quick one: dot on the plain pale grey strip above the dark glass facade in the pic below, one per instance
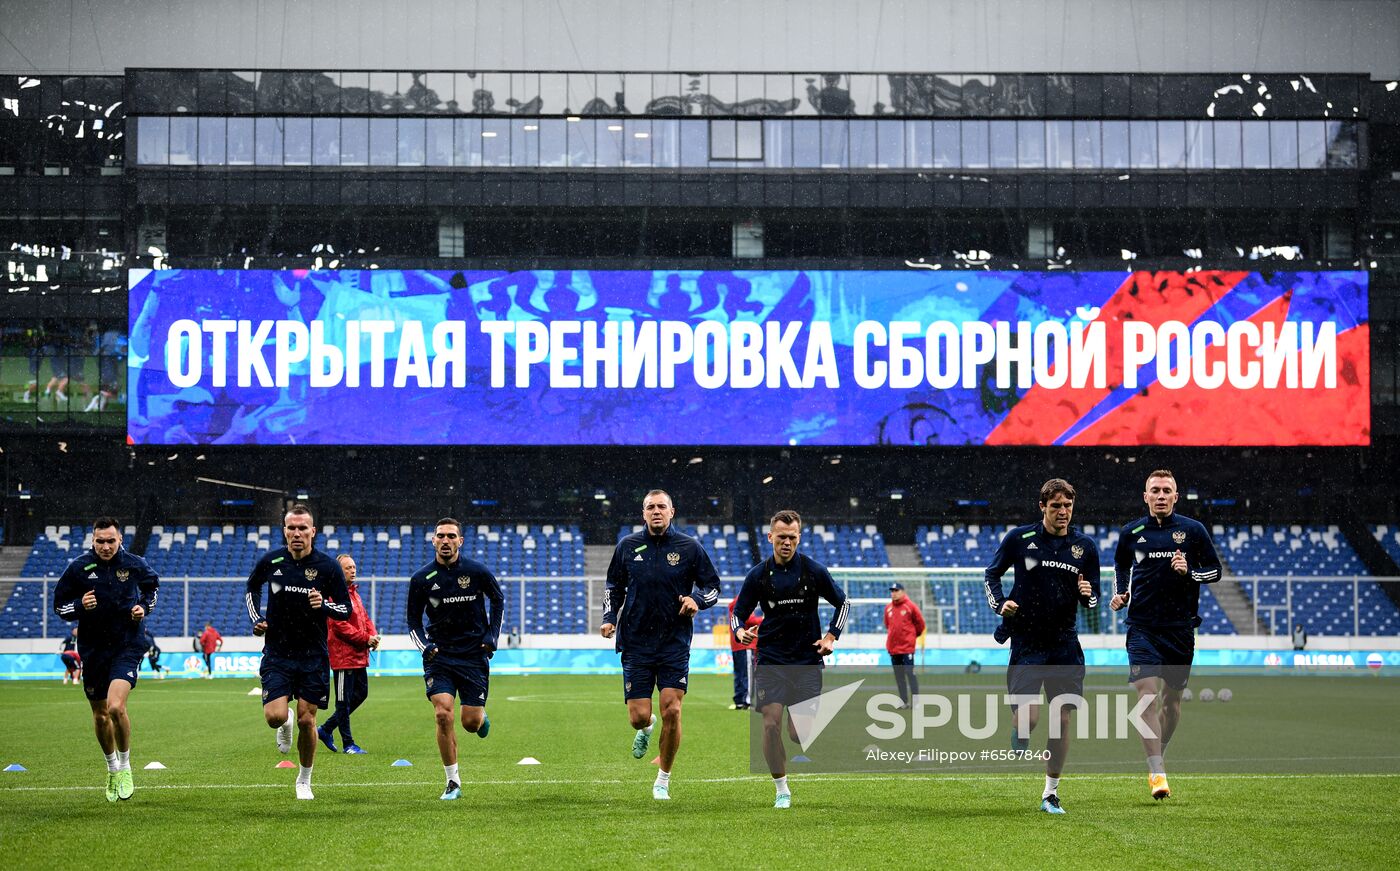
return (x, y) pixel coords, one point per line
(748, 36)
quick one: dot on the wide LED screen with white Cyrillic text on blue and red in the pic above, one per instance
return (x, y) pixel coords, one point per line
(909, 358)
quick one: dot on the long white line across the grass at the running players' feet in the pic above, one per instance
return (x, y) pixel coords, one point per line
(743, 779)
